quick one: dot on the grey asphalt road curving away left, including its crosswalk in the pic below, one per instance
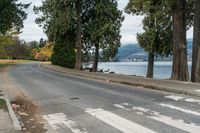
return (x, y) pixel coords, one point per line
(76, 105)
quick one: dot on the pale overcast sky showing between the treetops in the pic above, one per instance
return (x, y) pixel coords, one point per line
(130, 27)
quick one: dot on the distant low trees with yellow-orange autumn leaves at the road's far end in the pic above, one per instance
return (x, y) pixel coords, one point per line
(19, 49)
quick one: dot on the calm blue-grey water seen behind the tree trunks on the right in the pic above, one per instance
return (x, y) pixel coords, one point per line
(162, 70)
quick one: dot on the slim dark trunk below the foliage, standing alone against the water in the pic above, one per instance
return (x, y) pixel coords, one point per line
(150, 65)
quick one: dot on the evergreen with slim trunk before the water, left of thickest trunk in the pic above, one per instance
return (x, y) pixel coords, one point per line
(157, 38)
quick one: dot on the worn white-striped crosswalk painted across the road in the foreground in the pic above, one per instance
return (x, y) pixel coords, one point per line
(114, 119)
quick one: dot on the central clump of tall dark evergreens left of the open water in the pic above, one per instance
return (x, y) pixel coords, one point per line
(79, 27)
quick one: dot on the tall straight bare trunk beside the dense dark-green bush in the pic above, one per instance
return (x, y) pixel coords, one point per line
(78, 45)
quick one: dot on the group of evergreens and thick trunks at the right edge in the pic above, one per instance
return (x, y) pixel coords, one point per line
(165, 24)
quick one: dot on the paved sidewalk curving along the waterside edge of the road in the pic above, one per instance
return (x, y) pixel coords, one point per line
(187, 88)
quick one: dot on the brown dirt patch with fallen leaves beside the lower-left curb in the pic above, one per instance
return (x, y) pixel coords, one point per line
(28, 114)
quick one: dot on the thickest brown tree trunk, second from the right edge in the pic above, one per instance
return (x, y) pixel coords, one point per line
(180, 66)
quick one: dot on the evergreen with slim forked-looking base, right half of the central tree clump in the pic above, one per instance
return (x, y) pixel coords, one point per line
(104, 28)
